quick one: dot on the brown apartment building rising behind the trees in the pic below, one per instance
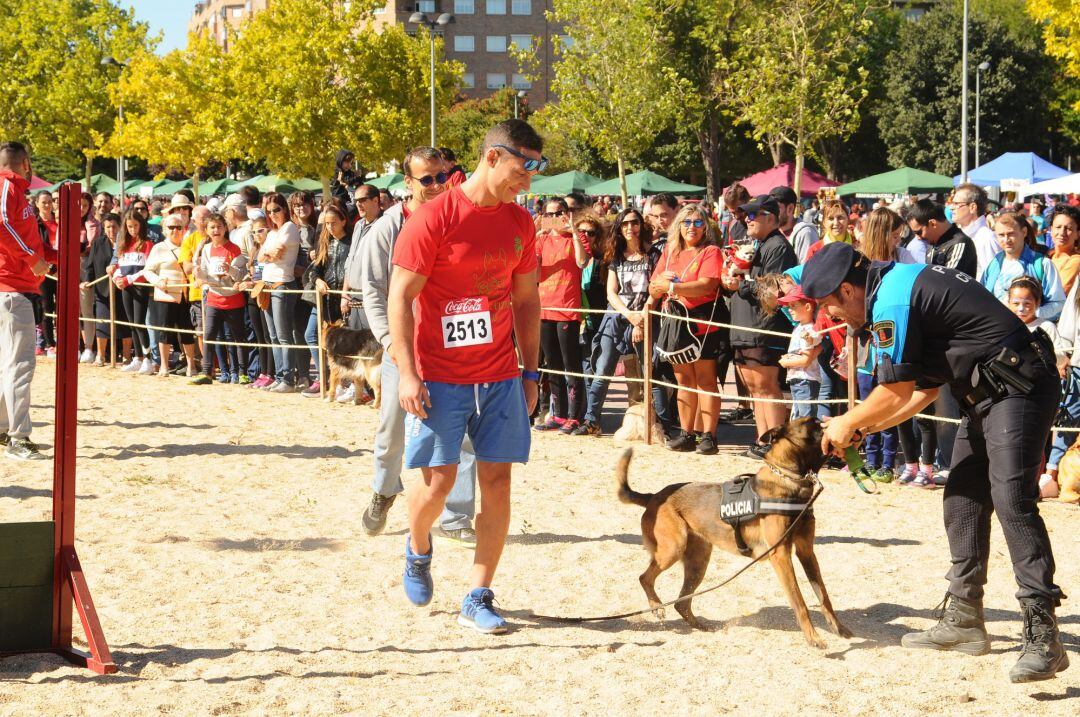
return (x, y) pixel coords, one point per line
(481, 38)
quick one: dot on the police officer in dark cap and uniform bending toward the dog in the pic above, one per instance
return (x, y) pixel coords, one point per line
(934, 327)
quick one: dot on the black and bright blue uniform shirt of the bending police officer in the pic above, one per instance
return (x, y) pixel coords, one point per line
(933, 326)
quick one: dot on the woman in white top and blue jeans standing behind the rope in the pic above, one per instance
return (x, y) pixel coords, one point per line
(278, 258)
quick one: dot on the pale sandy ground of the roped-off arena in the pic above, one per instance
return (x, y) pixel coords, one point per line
(219, 530)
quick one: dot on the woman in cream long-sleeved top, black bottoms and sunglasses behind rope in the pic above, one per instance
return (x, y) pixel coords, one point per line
(170, 306)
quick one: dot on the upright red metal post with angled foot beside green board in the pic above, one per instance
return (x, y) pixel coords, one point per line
(70, 585)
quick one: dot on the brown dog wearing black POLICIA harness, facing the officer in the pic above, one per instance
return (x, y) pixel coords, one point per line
(685, 521)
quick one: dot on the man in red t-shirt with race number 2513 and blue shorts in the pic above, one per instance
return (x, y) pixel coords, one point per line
(464, 290)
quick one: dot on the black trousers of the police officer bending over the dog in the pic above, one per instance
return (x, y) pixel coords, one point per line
(995, 468)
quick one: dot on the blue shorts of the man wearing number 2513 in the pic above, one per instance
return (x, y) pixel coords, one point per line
(494, 414)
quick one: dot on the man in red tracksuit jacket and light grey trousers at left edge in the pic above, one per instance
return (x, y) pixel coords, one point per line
(24, 261)
